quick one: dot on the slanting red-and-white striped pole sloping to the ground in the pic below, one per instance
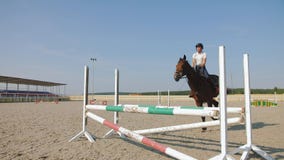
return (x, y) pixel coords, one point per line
(141, 139)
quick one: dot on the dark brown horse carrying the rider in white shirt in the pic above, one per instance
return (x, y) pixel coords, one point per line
(202, 89)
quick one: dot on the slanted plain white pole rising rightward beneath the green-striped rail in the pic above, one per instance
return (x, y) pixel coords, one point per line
(189, 126)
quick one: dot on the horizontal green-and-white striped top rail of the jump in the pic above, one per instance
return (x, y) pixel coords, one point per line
(153, 110)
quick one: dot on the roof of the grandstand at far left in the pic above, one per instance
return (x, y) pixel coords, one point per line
(15, 80)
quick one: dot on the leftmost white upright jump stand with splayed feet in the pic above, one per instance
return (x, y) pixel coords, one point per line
(85, 102)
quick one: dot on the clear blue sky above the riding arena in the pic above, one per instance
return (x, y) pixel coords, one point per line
(53, 40)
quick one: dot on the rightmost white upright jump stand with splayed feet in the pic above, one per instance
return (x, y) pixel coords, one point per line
(249, 146)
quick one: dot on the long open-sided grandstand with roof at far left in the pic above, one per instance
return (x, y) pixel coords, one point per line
(14, 89)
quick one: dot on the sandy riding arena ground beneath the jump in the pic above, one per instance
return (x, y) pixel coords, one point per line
(42, 131)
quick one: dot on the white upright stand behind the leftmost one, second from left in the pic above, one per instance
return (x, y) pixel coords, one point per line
(116, 101)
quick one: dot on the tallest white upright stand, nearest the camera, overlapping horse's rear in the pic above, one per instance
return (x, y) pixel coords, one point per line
(223, 107)
